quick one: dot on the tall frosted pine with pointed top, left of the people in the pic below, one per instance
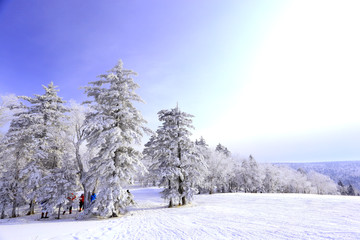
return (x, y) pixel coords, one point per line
(46, 117)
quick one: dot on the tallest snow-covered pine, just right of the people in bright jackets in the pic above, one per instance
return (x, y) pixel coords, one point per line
(114, 125)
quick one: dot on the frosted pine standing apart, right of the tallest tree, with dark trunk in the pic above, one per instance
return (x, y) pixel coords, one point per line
(175, 158)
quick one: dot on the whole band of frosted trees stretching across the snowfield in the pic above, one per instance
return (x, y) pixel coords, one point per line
(52, 149)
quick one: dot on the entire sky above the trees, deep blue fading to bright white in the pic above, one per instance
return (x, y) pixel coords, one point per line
(276, 79)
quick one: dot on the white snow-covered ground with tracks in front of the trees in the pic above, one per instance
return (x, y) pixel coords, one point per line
(217, 216)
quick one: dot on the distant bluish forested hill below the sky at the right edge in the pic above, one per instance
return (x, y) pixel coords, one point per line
(348, 171)
